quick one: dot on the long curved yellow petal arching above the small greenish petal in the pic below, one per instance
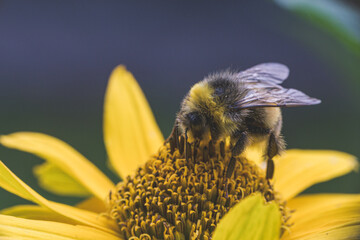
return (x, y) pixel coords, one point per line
(63, 156)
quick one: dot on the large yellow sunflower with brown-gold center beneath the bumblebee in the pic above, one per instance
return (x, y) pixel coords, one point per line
(172, 189)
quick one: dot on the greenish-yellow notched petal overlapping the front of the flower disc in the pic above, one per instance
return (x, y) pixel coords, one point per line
(250, 219)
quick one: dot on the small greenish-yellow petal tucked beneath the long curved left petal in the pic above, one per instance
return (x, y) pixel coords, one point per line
(55, 180)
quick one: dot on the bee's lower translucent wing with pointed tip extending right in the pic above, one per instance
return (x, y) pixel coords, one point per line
(274, 97)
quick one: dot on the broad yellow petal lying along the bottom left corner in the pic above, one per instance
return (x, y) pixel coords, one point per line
(36, 229)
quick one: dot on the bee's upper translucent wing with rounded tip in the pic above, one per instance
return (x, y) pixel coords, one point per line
(264, 75)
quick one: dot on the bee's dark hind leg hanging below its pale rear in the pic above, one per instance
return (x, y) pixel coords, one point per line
(275, 145)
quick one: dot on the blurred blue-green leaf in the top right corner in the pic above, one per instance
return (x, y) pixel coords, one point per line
(336, 17)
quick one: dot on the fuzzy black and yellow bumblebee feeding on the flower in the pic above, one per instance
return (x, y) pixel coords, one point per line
(244, 106)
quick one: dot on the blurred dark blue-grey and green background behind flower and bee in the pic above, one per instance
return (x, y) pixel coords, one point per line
(55, 59)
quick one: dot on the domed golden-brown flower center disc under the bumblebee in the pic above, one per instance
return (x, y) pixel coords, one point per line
(182, 192)
